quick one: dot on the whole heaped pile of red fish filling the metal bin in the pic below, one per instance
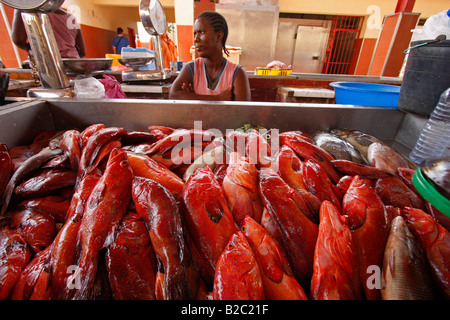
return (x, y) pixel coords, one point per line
(105, 213)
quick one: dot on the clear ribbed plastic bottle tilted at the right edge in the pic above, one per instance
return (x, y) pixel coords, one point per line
(434, 140)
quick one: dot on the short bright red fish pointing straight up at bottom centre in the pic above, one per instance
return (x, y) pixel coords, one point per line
(237, 274)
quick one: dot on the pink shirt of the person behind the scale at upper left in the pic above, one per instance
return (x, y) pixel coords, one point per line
(65, 29)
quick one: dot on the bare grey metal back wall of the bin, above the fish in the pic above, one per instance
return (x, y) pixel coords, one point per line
(20, 123)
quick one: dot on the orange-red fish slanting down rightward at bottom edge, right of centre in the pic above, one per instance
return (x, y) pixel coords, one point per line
(276, 273)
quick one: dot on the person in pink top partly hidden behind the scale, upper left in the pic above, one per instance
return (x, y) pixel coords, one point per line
(65, 27)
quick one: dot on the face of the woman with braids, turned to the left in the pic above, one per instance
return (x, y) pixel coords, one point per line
(206, 41)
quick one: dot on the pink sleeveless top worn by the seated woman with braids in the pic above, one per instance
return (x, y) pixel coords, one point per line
(201, 83)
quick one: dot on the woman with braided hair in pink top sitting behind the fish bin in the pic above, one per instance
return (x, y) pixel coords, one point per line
(211, 76)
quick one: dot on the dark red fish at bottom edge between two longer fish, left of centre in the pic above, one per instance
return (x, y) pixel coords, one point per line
(131, 261)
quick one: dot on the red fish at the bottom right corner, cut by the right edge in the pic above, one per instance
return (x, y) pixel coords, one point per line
(435, 239)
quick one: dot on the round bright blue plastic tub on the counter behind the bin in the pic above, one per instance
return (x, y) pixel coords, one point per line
(366, 94)
